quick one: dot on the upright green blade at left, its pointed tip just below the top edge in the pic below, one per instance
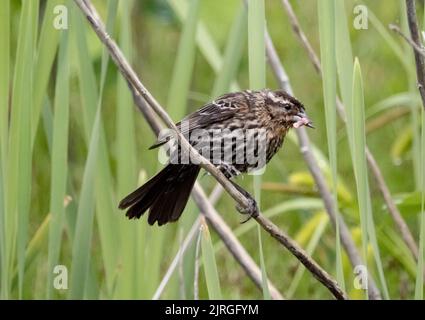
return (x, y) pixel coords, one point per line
(59, 160)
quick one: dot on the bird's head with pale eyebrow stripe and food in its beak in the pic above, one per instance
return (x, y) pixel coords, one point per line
(289, 109)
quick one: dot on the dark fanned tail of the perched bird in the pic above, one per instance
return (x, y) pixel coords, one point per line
(165, 195)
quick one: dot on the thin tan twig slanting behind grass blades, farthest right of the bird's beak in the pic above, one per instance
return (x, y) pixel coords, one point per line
(380, 181)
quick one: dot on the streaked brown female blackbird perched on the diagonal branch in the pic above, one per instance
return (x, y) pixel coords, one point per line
(238, 132)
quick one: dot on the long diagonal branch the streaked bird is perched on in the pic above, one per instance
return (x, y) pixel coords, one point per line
(200, 198)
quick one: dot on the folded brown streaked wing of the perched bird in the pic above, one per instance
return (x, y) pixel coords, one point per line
(219, 110)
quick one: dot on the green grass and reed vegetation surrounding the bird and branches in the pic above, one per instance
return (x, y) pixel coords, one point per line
(72, 144)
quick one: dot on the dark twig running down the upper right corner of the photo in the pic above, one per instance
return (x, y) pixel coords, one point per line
(419, 58)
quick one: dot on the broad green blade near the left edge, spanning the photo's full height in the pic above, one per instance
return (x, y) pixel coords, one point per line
(18, 193)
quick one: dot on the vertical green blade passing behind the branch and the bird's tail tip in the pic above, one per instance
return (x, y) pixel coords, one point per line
(128, 279)
